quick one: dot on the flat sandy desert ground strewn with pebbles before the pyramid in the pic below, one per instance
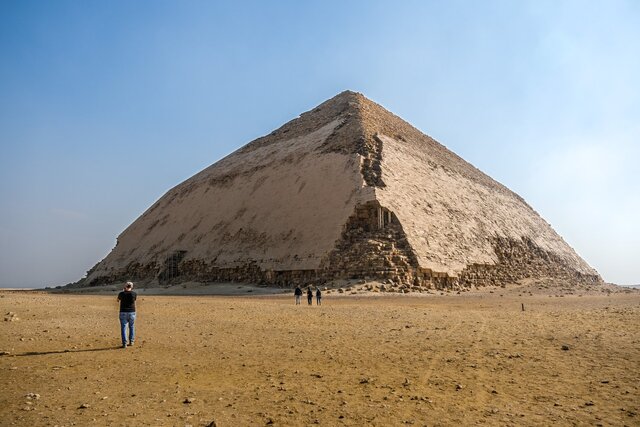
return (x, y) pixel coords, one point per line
(356, 360)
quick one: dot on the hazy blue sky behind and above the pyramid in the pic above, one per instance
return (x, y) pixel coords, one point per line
(105, 105)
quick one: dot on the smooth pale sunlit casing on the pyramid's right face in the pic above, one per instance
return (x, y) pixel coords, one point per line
(452, 221)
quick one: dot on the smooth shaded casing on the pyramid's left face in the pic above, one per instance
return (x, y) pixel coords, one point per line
(240, 211)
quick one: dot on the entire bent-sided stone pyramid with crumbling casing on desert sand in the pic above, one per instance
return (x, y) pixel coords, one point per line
(346, 190)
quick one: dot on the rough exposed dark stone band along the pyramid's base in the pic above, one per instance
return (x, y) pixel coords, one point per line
(391, 264)
